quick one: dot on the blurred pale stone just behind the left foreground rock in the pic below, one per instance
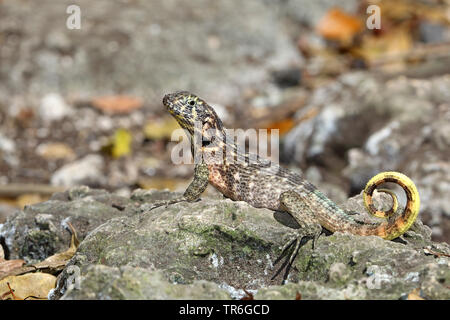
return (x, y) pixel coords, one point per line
(85, 171)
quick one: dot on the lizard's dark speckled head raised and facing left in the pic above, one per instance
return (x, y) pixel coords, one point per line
(192, 112)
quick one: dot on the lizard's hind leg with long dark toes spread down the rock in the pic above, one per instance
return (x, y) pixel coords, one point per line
(297, 206)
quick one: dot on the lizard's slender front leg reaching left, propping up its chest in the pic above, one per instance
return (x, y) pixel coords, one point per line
(193, 191)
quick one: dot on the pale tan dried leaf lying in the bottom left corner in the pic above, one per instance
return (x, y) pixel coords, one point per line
(36, 285)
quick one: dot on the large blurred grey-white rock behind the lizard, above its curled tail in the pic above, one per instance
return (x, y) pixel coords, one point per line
(360, 109)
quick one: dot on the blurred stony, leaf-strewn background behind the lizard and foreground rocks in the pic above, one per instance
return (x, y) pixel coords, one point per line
(83, 106)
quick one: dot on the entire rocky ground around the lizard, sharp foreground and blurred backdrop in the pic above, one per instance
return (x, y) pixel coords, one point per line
(83, 108)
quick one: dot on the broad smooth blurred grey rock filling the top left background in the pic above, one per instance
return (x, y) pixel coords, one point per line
(213, 49)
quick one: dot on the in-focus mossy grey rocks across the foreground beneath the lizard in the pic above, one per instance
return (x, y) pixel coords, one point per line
(216, 249)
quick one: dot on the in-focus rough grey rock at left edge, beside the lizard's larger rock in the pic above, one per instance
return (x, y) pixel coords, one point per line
(38, 231)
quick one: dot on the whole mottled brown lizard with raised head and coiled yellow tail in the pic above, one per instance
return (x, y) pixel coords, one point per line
(242, 176)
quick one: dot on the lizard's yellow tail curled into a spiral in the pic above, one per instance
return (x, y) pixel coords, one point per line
(393, 228)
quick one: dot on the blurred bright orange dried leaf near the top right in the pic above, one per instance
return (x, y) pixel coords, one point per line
(338, 25)
